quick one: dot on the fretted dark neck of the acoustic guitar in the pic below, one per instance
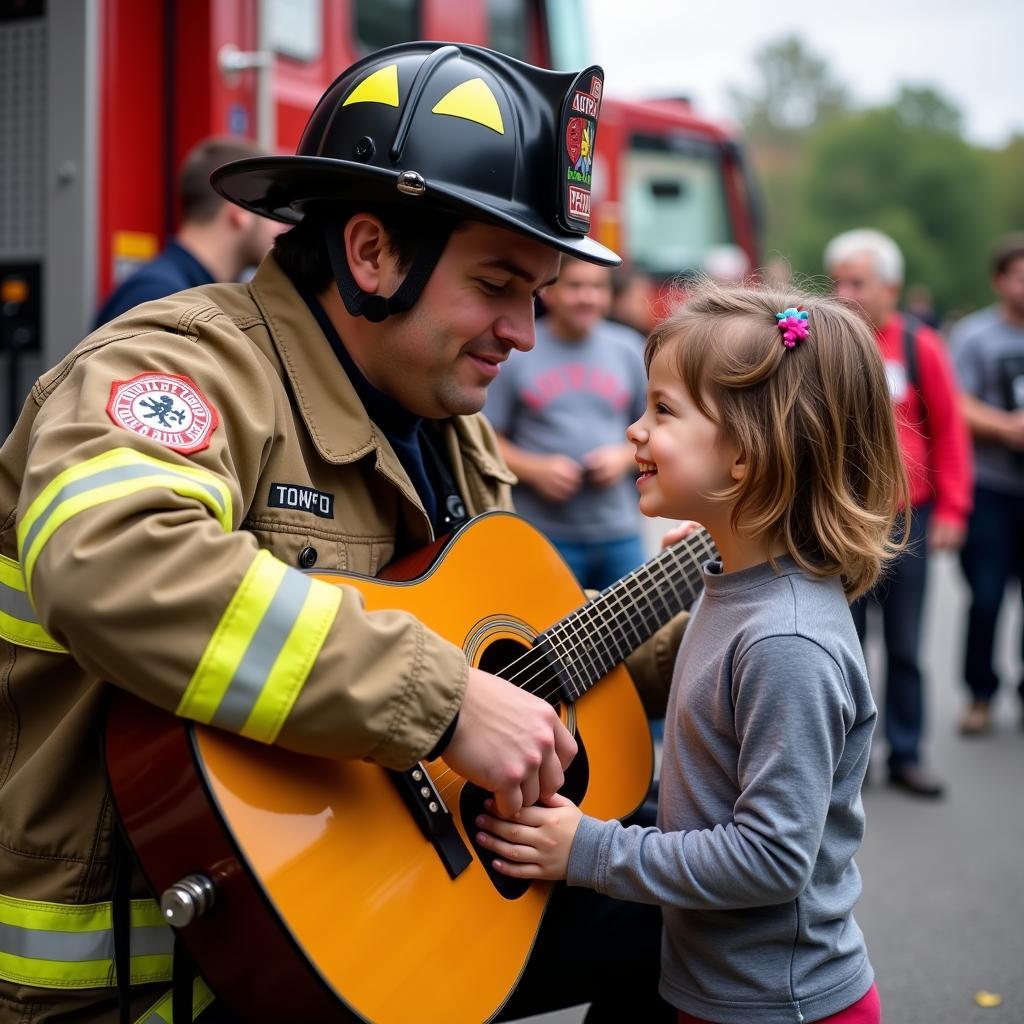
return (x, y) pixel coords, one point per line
(588, 644)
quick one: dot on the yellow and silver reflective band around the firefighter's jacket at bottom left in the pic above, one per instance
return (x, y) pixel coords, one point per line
(59, 946)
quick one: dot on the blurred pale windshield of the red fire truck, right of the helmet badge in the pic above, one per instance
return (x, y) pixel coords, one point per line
(675, 206)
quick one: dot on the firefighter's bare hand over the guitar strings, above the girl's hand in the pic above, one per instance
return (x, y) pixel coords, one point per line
(509, 743)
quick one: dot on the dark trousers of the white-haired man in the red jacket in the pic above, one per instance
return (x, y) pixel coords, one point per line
(901, 596)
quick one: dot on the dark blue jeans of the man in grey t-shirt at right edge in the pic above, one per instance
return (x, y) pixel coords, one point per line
(993, 556)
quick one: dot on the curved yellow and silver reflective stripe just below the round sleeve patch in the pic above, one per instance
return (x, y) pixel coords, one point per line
(106, 479)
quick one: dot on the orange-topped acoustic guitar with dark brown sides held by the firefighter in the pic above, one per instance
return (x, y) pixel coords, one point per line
(323, 890)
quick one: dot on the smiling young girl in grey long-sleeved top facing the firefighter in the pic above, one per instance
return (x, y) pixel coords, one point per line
(770, 421)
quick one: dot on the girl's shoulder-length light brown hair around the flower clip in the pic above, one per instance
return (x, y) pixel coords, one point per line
(825, 474)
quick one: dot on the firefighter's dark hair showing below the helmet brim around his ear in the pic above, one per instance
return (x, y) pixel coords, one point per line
(302, 253)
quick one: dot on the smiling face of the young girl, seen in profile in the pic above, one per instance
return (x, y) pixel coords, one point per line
(682, 456)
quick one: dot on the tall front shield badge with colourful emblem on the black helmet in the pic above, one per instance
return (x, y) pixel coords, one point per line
(580, 114)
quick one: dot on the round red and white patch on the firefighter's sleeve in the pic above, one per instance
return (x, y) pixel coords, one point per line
(169, 409)
